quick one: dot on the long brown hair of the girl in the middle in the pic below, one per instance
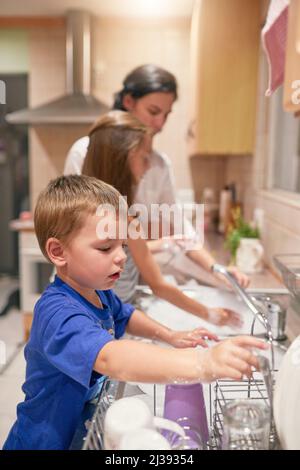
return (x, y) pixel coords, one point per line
(111, 138)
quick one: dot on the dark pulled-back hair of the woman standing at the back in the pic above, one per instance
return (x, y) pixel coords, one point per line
(144, 80)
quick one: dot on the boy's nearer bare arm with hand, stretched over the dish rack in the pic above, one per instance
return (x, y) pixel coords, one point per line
(129, 360)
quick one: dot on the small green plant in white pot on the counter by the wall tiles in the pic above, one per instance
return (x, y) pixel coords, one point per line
(242, 240)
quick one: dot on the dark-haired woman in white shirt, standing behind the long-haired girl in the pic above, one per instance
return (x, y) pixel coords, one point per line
(149, 93)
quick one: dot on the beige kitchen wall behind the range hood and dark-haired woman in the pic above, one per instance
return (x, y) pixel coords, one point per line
(118, 46)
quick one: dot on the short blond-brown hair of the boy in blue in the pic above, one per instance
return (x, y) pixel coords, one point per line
(64, 204)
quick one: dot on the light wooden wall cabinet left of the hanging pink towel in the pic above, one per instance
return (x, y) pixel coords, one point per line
(225, 37)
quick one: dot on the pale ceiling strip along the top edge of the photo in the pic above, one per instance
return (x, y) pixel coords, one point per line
(128, 8)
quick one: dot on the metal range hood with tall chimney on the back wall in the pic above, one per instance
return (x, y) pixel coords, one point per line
(77, 106)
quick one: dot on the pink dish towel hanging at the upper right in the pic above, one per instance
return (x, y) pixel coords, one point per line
(273, 37)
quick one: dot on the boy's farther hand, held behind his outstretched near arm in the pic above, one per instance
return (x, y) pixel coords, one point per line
(191, 339)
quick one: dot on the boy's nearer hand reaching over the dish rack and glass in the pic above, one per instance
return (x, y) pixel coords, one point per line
(231, 358)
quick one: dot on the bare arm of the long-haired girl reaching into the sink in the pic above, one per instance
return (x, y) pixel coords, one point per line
(151, 273)
